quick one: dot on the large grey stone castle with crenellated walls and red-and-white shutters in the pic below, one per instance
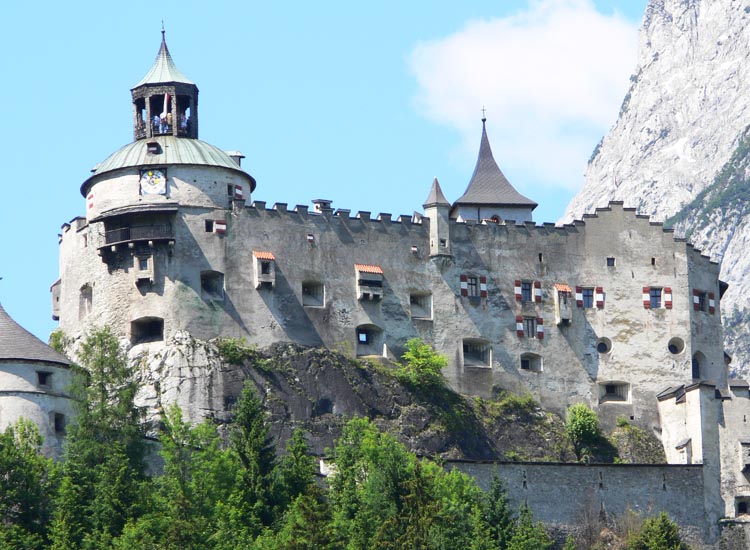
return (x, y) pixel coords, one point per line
(612, 310)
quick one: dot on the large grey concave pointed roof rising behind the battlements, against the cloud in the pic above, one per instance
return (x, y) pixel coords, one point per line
(488, 184)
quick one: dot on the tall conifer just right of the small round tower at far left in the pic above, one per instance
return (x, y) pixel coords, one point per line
(103, 470)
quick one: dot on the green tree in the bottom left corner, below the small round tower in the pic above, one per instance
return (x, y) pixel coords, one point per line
(27, 481)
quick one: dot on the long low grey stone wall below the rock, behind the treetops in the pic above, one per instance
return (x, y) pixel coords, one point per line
(565, 495)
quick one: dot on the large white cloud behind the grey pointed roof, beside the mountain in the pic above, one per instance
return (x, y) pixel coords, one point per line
(552, 79)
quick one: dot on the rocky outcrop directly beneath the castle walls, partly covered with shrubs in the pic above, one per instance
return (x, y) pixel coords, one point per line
(319, 390)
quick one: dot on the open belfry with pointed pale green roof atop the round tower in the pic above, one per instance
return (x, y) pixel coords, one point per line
(165, 101)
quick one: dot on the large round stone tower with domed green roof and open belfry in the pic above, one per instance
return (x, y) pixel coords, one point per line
(149, 250)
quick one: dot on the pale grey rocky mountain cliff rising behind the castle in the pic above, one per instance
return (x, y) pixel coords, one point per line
(678, 147)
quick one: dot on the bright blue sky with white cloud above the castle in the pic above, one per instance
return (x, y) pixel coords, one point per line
(361, 103)
